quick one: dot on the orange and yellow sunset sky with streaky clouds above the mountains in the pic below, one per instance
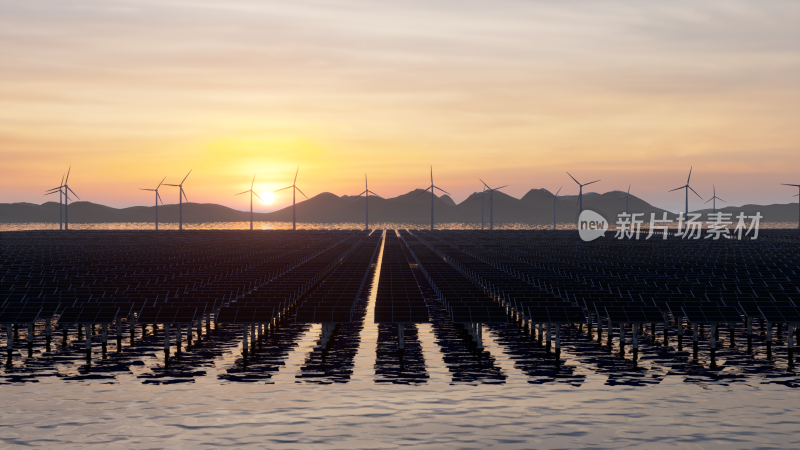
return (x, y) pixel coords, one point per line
(514, 92)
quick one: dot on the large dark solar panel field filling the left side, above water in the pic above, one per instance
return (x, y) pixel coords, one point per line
(167, 278)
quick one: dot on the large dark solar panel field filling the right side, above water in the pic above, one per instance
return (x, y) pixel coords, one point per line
(630, 281)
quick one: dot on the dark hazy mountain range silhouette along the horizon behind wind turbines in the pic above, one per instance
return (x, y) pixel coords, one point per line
(535, 207)
